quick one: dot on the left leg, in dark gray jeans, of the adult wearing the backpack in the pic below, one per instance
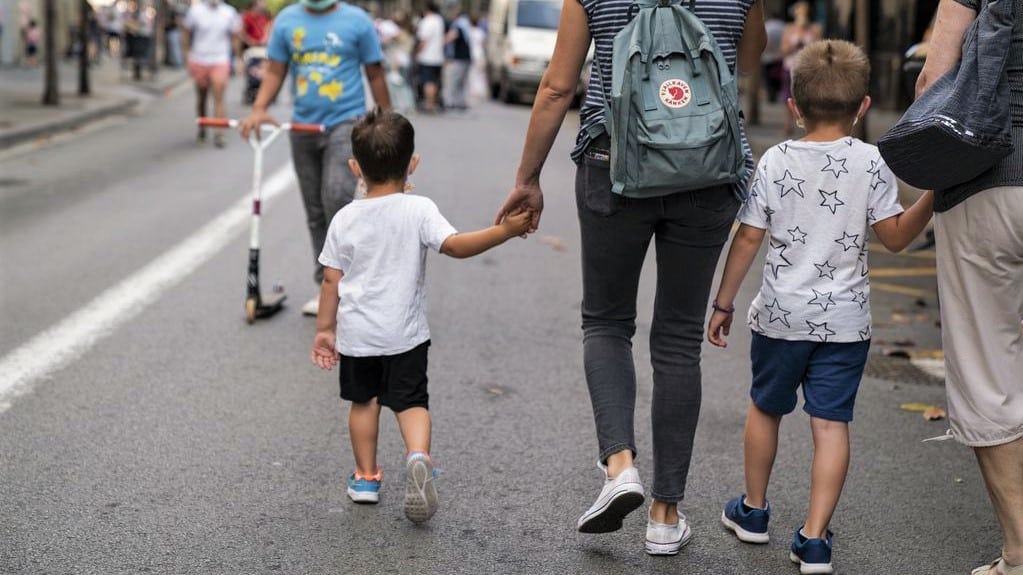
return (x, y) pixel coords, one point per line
(614, 241)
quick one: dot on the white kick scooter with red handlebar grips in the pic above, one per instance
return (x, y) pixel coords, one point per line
(259, 305)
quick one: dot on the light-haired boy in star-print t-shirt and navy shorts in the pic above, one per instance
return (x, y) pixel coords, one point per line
(812, 320)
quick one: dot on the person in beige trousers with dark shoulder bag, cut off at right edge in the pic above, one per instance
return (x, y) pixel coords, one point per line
(978, 228)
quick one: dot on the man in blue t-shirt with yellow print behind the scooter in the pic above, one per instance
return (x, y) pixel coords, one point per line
(326, 46)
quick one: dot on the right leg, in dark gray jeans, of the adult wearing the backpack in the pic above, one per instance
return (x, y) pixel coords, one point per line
(689, 239)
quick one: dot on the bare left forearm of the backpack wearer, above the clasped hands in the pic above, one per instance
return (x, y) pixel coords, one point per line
(549, 112)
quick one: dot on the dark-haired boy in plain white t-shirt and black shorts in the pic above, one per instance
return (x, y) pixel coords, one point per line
(375, 259)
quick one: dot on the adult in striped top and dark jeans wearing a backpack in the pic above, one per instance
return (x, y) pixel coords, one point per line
(689, 230)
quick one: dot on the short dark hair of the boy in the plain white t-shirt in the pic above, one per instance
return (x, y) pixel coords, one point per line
(383, 144)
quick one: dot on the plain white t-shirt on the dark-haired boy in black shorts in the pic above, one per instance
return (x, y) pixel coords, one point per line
(381, 245)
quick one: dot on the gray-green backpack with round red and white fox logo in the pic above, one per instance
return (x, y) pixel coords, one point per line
(674, 118)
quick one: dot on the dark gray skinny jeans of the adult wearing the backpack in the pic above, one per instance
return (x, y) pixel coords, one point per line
(689, 231)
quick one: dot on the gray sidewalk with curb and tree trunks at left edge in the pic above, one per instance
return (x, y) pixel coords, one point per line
(24, 119)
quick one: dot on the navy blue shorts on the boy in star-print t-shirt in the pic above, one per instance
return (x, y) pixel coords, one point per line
(829, 373)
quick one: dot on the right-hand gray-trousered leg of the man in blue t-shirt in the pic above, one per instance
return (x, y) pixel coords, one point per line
(338, 185)
